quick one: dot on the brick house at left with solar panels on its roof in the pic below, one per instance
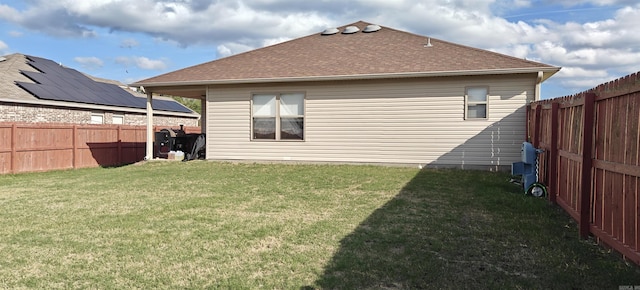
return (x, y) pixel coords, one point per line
(38, 90)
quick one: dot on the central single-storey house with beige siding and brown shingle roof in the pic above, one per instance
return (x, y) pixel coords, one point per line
(363, 94)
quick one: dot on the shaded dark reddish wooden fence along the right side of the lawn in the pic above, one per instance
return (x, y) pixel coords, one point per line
(591, 163)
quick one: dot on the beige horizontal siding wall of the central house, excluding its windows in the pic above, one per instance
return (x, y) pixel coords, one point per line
(408, 121)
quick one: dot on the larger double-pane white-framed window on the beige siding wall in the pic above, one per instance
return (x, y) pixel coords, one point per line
(278, 117)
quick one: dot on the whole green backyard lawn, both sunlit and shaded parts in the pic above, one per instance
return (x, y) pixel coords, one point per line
(246, 226)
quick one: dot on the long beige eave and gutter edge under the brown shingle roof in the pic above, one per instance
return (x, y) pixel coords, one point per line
(547, 72)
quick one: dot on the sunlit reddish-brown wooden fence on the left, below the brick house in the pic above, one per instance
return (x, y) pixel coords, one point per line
(26, 147)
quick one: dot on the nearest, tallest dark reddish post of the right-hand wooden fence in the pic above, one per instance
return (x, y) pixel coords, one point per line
(587, 162)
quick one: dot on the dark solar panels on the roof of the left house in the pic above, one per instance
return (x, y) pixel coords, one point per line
(55, 82)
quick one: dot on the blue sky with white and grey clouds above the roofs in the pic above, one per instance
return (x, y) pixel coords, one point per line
(594, 41)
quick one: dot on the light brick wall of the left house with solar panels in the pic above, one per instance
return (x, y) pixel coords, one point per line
(15, 112)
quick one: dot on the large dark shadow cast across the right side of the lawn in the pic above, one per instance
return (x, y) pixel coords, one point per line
(476, 230)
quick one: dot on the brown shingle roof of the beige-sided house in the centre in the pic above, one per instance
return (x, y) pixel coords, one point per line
(384, 52)
